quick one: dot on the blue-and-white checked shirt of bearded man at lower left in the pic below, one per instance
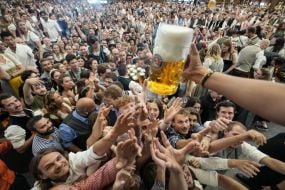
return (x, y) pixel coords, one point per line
(40, 143)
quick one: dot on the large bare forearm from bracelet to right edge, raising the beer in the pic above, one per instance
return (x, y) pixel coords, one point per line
(249, 98)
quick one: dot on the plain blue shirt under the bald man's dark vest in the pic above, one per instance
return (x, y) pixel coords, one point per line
(66, 133)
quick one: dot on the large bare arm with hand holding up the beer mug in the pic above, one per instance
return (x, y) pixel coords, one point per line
(255, 95)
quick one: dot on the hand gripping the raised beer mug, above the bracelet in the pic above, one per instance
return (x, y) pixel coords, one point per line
(195, 71)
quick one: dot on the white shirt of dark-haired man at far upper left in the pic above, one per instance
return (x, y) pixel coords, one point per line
(23, 54)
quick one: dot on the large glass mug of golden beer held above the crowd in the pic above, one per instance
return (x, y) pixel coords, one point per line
(172, 44)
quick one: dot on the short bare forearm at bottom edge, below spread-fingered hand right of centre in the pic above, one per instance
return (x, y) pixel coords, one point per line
(177, 180)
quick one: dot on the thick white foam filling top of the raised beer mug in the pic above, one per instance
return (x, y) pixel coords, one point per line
(172, 42)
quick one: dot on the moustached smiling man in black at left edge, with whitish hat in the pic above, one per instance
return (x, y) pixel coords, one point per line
(17, 133)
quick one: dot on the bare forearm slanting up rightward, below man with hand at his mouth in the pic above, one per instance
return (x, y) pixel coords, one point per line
(223, 143)
